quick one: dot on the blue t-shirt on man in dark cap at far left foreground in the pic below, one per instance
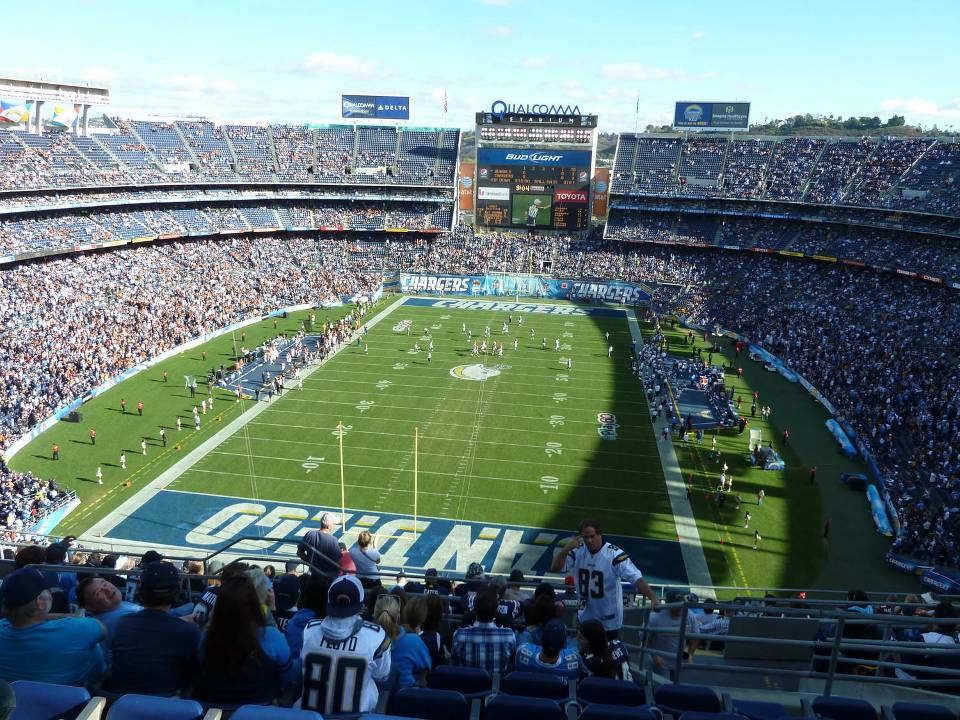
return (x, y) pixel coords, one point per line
(65, 651)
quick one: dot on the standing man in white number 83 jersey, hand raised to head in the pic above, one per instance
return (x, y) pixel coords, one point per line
(598, 567)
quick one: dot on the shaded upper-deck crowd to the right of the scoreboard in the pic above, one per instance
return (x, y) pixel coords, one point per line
(906, 173)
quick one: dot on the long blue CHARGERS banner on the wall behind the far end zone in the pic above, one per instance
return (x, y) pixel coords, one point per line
(614, 291)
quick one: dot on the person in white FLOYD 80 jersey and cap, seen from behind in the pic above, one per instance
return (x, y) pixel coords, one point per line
(343, 656)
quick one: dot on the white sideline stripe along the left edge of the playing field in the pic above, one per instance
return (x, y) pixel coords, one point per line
(131, 505)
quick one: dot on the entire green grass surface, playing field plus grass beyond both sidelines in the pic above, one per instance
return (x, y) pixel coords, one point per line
(528, 446)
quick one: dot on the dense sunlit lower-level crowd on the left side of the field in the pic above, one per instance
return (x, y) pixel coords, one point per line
(70, 324)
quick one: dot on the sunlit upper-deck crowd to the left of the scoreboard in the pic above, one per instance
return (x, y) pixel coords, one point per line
(144, 152)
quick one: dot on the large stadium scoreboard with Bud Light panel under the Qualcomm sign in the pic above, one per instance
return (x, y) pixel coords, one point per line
(533, 172)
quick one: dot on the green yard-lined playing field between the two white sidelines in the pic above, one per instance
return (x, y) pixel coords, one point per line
(518, 447)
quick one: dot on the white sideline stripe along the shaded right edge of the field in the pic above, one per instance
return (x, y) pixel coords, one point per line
(698, 572)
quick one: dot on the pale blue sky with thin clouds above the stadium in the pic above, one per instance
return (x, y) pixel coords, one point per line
(287, 60)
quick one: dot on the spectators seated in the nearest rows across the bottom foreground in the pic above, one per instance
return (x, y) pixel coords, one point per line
(246, 634)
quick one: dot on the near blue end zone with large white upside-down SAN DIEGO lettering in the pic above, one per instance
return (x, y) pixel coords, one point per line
(209, 522)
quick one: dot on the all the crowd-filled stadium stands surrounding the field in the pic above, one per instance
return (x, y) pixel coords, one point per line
(878, 340)
